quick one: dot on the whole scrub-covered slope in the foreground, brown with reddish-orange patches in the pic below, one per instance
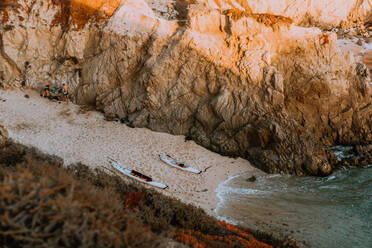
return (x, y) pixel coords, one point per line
(44, 204)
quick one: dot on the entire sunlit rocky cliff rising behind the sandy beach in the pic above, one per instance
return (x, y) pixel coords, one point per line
(238, 82)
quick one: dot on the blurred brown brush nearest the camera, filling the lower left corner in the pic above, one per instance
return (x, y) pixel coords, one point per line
(43, 204)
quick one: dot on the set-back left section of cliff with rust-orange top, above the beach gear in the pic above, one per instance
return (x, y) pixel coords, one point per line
(47, 40)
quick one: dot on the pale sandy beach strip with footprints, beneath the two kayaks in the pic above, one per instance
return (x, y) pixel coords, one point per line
(66, 131)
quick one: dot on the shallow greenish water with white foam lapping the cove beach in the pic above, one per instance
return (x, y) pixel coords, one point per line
(334, 211)
